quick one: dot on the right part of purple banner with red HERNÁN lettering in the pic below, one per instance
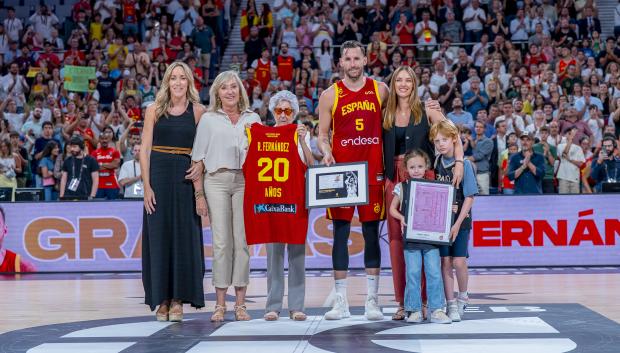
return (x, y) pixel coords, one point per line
(546, 230)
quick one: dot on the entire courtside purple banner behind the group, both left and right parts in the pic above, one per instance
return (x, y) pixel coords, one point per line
(557, 230)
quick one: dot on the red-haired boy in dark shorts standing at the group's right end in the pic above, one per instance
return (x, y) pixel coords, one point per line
(444, 135)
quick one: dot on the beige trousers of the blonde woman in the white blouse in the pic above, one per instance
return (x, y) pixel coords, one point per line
(231, 258)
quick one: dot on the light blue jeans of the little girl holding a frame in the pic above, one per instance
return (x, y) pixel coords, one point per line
(434, 282)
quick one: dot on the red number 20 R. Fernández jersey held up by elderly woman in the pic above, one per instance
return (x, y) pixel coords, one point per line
(274, 203)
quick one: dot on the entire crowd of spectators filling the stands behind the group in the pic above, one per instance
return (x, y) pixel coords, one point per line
(504, 71)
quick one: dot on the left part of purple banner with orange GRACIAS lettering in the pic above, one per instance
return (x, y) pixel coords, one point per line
(106, 236)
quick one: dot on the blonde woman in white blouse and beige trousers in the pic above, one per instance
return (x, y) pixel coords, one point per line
(221, 146)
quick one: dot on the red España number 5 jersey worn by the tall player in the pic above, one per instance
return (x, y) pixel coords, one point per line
(356, 128)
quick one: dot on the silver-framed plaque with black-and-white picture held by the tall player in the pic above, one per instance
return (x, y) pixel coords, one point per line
(341, 184)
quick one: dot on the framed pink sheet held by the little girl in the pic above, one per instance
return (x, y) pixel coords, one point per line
(429, 215)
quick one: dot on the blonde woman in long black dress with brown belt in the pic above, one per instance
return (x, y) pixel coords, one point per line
(172, 247)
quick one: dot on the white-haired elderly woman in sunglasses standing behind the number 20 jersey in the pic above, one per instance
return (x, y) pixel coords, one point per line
(284, 108)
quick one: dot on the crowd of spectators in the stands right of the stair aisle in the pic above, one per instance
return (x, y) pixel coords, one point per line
(504, 71)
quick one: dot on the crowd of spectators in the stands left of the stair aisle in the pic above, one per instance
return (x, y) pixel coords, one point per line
(129, 43)
